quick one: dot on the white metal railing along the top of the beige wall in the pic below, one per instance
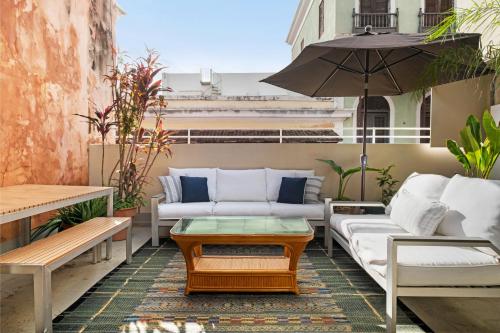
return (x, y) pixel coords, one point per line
(302, 135)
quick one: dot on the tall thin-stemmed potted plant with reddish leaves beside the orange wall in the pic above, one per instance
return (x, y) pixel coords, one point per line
(135, 92)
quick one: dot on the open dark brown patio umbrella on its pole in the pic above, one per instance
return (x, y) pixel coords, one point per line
(366, 65)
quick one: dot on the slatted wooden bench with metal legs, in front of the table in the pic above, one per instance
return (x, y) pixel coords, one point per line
(42, 257)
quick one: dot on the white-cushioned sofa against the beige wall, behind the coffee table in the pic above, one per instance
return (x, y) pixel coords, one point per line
(236, 193)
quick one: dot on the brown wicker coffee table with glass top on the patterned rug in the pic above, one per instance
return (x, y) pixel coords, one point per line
(242, 273)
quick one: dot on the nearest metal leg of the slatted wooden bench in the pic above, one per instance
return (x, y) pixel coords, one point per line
(43, 300)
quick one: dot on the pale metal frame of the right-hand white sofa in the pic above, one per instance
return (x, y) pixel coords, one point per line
(391, 286)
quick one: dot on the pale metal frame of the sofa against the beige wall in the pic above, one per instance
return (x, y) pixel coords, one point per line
(156, 222)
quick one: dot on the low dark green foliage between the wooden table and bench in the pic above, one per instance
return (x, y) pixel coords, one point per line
(70, 216)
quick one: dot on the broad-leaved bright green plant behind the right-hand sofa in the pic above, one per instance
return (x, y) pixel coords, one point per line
(480, 146)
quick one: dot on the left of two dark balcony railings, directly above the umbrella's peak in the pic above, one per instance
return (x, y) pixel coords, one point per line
(380, 22)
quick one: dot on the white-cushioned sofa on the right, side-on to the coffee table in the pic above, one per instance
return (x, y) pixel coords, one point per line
(460, 260)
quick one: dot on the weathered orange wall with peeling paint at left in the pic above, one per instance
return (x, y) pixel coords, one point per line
(53, 55)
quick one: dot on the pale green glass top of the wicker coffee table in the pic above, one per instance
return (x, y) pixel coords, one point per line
(240, 225)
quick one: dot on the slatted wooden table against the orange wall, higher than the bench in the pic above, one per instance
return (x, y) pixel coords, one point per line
(21, 202)
